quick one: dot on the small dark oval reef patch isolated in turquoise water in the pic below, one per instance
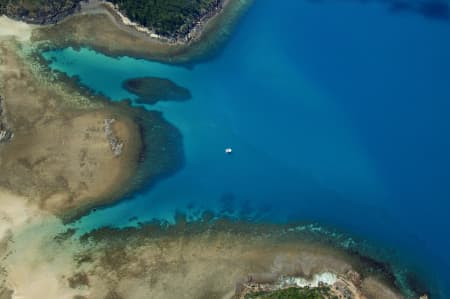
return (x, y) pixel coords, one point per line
(151, 90)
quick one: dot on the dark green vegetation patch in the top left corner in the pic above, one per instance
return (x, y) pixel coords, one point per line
(38, 11)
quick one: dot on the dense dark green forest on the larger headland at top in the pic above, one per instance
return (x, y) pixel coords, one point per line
(171, 18)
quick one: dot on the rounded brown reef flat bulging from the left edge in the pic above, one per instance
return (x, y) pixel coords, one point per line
(60, 156)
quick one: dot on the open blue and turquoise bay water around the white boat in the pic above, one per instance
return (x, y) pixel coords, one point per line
(337, 112)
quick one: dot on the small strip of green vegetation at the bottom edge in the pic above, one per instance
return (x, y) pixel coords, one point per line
(293, 293)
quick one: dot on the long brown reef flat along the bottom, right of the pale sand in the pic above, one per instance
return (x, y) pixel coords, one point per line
(155, 261)
